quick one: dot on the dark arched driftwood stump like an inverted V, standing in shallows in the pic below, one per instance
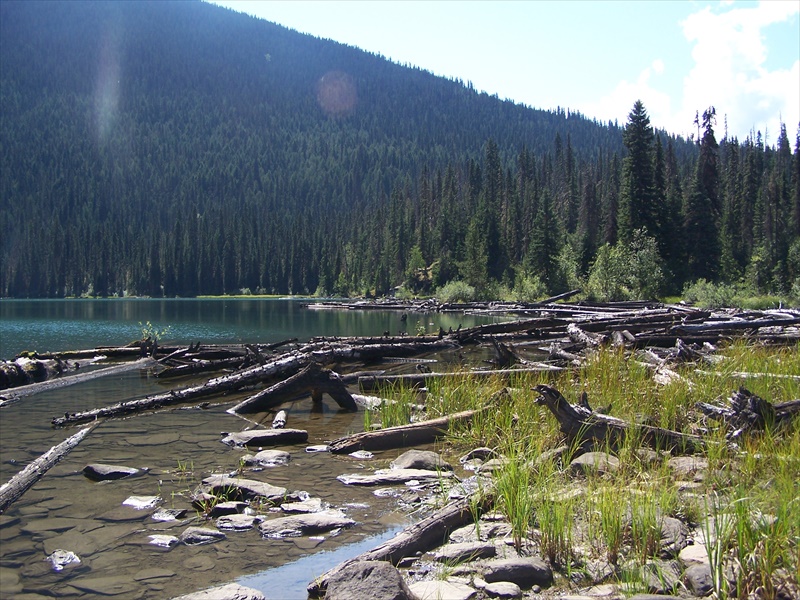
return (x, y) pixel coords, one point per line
(311, 380)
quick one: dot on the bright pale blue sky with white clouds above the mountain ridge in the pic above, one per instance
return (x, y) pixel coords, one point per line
(596, 57)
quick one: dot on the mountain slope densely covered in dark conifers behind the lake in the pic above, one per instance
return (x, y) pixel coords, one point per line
(179, 148)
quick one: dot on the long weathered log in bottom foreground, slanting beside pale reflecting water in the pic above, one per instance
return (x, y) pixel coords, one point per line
(418, 538)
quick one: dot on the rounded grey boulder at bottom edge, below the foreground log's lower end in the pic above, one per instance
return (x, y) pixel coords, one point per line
(368, 579)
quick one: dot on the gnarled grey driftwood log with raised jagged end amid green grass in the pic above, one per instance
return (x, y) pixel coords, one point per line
(579, 423)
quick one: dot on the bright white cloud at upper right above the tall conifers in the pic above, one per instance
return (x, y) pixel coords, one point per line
(730, 71)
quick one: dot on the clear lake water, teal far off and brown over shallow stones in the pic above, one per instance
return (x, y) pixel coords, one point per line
(178, 448)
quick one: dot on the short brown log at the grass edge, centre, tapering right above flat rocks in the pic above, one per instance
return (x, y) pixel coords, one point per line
(401, 436)
